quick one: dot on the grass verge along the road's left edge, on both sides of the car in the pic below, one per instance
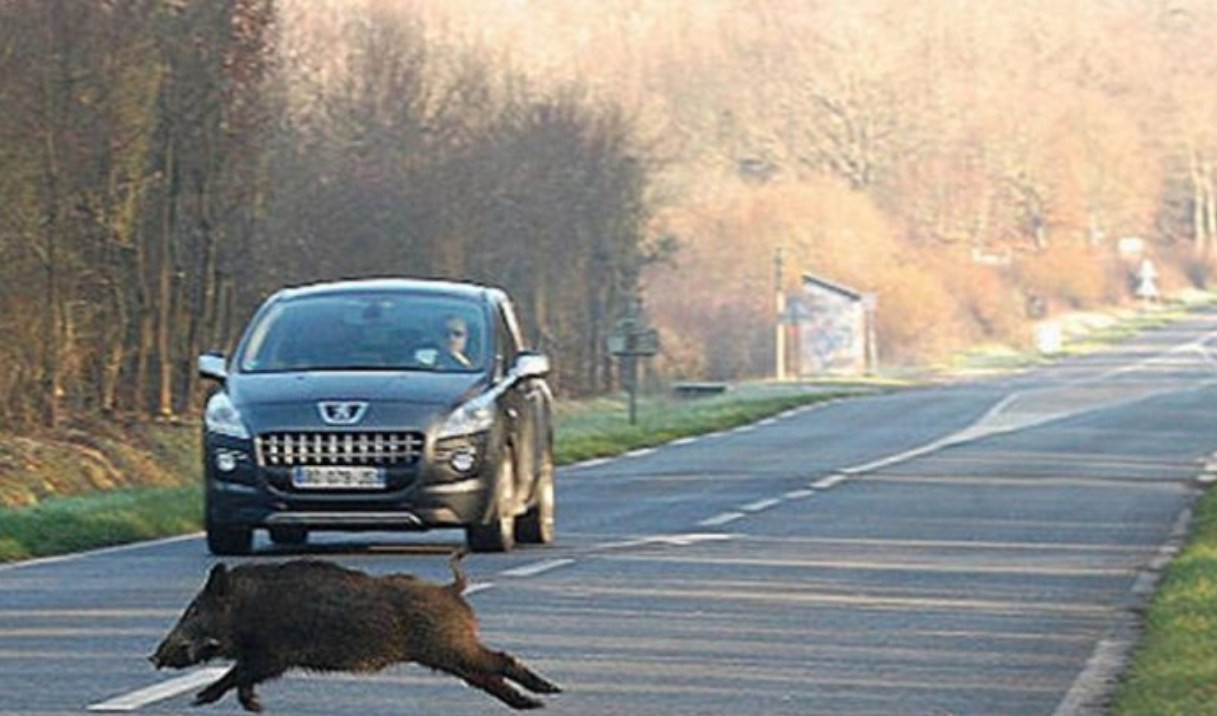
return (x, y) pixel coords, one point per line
(586, 429)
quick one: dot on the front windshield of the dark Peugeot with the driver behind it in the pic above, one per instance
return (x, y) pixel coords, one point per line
(368, 332)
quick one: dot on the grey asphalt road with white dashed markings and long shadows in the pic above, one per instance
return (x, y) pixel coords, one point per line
(969, 549)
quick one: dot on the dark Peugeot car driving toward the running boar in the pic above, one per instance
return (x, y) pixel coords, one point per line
(380, 405)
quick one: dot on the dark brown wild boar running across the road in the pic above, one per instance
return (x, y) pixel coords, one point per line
(317, 616)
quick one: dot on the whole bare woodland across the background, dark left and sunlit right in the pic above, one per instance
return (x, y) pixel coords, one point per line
(169, 164)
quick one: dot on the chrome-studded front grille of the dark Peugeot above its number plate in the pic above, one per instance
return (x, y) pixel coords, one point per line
(289, 450)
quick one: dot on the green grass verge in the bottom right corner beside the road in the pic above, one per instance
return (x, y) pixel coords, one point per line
(1175, 665)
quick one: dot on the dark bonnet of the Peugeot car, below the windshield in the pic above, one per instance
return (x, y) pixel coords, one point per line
(289, 401)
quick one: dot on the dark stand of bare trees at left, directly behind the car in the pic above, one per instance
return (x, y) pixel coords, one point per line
(171, 164)
